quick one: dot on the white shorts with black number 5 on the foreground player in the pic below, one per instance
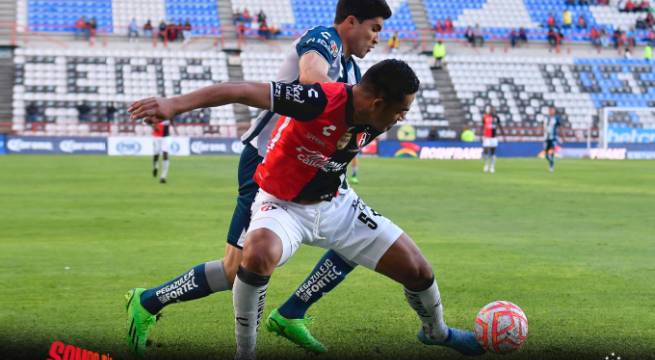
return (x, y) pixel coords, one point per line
(345, 224)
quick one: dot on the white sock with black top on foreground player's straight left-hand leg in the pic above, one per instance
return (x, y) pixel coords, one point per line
(248, 297)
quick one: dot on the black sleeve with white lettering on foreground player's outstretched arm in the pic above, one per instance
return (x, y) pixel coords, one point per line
(301, 102)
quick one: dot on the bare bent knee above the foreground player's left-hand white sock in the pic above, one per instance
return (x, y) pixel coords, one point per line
(262, 251)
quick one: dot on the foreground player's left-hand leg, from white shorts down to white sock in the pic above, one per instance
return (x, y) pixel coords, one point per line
(273, 236)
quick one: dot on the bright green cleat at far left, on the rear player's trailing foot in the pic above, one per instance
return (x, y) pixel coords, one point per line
(139, 321)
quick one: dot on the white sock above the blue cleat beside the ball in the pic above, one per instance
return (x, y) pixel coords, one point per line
(428, 307)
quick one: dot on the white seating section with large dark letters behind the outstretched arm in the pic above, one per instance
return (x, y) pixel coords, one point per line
(87, 92)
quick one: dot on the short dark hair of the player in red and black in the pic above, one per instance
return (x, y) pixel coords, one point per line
(391, 79)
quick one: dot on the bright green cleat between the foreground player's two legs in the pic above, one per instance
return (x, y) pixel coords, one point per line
(295, 330)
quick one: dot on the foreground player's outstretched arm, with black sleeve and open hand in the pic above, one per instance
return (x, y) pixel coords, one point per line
(302, 102)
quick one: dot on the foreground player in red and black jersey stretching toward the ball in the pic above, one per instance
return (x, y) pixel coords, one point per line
(322, 127)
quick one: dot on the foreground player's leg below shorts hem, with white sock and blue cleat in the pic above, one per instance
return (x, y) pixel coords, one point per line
(404, 263)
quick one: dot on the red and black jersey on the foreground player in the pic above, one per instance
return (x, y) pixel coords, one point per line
(312, 143)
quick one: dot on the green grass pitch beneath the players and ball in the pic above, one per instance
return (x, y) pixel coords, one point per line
(575, 249)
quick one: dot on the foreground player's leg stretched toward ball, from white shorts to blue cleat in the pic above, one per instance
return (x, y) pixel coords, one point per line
(378, 244)
